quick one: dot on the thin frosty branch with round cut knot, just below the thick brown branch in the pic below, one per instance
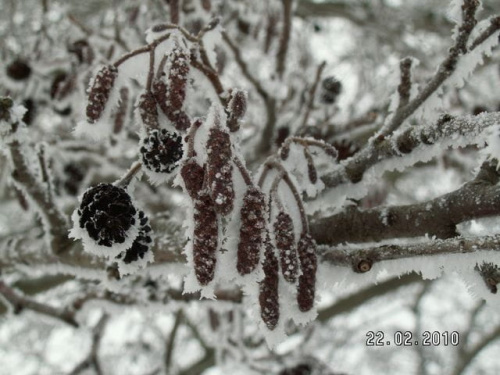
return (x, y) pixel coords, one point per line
(362, 260)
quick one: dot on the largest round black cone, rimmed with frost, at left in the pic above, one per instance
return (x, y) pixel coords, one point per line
(106, 213)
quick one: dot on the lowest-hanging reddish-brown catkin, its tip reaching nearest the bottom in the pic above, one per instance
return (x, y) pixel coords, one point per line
(268, 295)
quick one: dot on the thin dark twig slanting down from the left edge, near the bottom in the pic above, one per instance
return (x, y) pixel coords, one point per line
(20, 302)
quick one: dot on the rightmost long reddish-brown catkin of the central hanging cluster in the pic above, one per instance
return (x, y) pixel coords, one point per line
(308, 265)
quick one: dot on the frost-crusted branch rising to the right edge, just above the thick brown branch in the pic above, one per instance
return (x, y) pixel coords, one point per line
(448, 131)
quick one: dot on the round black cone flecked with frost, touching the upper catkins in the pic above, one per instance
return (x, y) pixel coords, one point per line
(161, 151)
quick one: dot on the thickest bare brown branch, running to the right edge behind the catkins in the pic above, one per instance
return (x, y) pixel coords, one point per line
(437, 217)
